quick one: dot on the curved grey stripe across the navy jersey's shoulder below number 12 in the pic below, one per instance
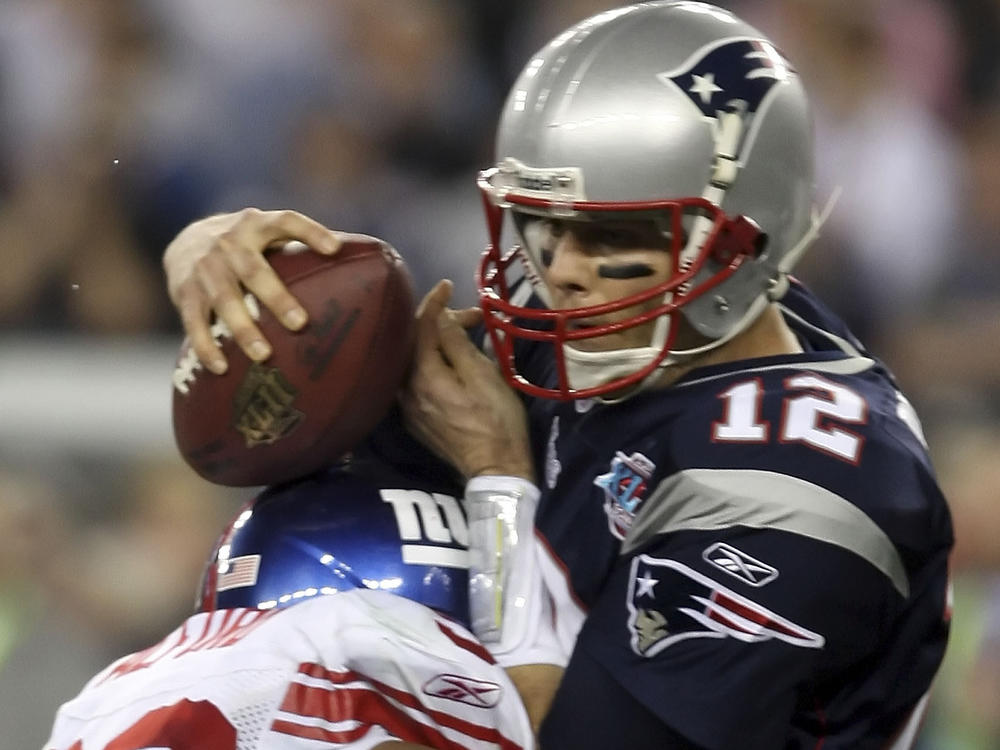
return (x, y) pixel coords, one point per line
(710, 499)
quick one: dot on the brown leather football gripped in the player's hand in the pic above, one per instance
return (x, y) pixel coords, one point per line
(323, 388)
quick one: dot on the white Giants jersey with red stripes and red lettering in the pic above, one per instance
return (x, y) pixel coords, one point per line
(353, 669)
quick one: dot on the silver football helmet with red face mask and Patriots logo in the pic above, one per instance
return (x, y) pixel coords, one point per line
(674, 111)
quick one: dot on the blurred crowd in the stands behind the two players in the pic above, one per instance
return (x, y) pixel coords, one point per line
(122, 121)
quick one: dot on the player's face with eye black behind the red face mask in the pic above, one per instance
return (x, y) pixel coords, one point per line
(586, 263)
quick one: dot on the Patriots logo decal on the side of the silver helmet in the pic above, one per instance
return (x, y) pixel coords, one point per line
(732, 75)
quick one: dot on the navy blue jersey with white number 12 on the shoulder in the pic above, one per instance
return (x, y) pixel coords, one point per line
(754, 557)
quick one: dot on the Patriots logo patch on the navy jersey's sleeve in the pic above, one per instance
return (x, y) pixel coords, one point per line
(668, 602)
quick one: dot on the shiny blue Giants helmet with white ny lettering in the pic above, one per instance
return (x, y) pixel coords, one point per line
(342, 529)
